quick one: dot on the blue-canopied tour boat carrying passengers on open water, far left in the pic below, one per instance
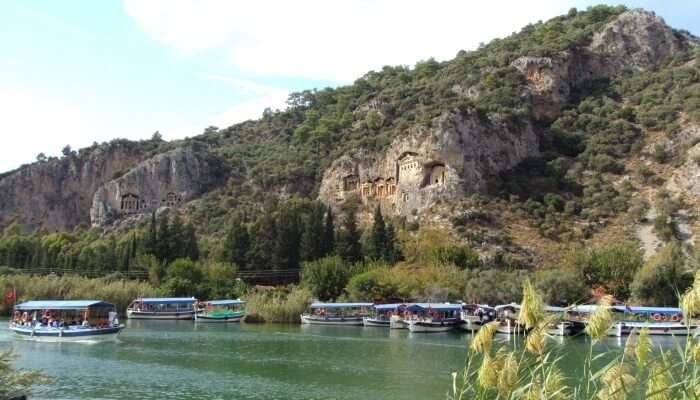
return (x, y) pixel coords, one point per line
(66, 320)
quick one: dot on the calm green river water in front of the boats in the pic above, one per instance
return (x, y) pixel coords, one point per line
(184, 360)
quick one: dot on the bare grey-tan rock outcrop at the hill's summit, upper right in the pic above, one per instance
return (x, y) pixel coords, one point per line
(636, 39)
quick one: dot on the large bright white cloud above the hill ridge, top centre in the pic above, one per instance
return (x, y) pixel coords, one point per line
(333, 40)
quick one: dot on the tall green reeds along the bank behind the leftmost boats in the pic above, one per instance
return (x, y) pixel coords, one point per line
(72, 287)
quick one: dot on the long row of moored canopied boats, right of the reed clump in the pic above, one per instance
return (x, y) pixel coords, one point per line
(443, 317)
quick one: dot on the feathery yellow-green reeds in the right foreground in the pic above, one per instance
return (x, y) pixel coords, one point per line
(532, 371)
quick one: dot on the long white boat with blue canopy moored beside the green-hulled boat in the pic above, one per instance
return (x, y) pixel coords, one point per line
(162, 308)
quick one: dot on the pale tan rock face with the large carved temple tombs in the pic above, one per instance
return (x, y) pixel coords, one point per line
(452, 157)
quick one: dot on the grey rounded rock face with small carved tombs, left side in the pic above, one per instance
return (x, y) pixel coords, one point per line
(165, 180)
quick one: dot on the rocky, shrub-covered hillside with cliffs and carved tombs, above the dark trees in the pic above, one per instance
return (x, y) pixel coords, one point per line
(582, 130)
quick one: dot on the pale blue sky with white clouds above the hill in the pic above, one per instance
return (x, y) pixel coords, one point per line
(76, 72)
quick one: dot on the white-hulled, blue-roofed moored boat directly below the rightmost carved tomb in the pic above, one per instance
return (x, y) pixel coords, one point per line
(434, 317)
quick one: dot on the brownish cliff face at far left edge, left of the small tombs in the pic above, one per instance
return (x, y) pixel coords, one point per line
(56, 194)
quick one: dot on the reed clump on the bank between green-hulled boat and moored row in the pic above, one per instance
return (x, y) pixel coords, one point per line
(277, 305)
